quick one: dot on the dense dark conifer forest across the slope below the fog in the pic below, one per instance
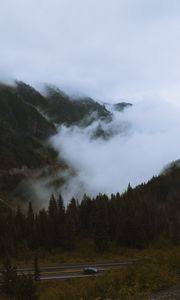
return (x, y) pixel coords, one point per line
(136, 218)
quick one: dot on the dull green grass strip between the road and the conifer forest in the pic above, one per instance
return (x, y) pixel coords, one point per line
(84, 252)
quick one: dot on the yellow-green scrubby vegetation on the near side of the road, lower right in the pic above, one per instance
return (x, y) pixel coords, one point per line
(158, 270)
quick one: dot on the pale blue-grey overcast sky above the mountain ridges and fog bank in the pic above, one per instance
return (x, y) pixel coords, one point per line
(108, 49)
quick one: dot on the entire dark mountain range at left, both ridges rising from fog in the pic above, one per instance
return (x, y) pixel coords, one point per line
(27, 119)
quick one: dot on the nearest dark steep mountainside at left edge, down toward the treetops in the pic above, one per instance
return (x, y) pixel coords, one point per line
(23, 135)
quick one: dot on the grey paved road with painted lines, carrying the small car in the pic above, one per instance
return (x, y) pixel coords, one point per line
(70, 271)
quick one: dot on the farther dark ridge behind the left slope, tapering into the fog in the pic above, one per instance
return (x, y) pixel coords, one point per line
(60, 108)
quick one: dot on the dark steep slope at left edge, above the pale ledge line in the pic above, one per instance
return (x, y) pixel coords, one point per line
(22, 131)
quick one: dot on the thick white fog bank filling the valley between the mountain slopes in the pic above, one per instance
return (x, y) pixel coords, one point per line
(146, 140)
